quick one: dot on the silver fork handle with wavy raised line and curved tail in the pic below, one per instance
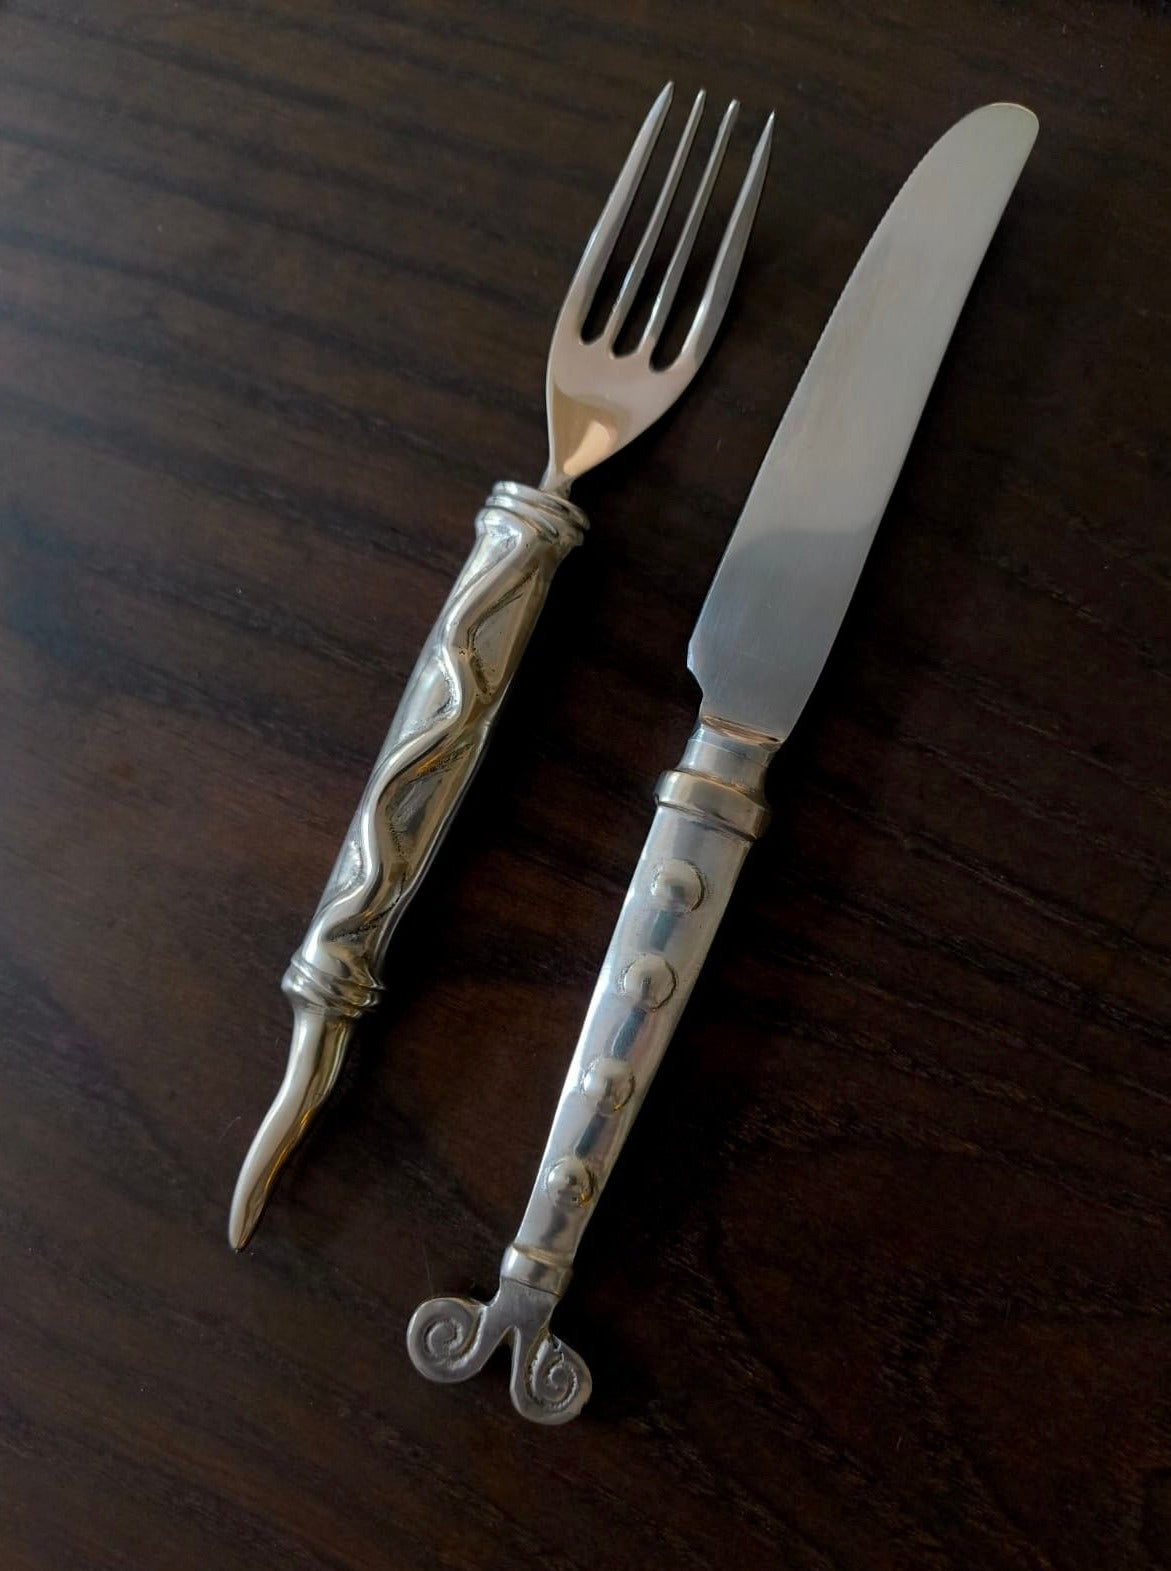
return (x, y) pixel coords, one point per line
(427, 764)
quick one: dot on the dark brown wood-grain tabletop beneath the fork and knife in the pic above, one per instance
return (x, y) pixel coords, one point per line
(883, 1283)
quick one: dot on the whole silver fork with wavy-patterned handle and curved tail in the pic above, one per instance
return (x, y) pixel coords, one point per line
(597, 401)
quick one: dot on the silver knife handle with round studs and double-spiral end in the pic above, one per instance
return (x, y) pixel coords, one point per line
(710, 813)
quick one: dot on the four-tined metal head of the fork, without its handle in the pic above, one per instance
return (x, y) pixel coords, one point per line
(598, 400)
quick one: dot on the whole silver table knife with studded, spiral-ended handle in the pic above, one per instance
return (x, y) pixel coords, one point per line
(763, 637)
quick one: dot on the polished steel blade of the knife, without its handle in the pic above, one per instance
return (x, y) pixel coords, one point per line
(791, 566)
